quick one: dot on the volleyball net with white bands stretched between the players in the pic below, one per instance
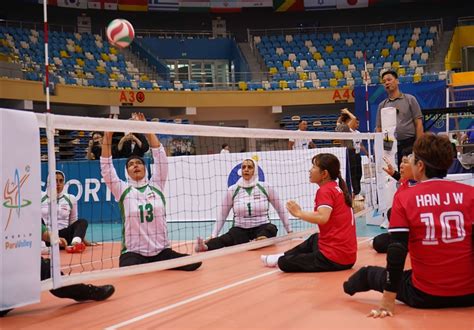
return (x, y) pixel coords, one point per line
(198, 178)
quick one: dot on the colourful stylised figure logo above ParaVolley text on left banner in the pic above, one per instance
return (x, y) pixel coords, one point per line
(12, 197)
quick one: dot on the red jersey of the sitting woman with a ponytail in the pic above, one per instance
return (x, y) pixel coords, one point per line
(337, 237)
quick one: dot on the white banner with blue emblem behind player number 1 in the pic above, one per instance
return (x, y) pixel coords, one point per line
(196, 184)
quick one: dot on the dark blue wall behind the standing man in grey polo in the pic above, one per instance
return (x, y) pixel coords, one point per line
(430, 95)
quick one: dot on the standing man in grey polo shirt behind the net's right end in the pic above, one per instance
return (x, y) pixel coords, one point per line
(409, 118)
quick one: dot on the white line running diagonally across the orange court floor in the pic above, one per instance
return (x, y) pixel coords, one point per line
(203, 295)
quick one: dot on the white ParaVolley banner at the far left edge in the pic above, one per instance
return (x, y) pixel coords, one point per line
(20, 218)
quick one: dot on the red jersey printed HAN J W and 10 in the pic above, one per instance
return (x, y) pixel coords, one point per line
(438, 214)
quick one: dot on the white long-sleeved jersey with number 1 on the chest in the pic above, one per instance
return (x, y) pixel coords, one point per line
(250, 206)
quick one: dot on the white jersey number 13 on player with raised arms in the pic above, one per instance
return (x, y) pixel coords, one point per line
(142, 208)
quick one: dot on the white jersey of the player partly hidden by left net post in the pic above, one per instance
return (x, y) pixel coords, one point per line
(66, 210)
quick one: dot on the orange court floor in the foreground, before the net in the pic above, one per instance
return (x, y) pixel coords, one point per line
(233, 292)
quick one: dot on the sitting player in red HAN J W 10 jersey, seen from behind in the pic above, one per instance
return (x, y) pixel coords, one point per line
(434, 221)
